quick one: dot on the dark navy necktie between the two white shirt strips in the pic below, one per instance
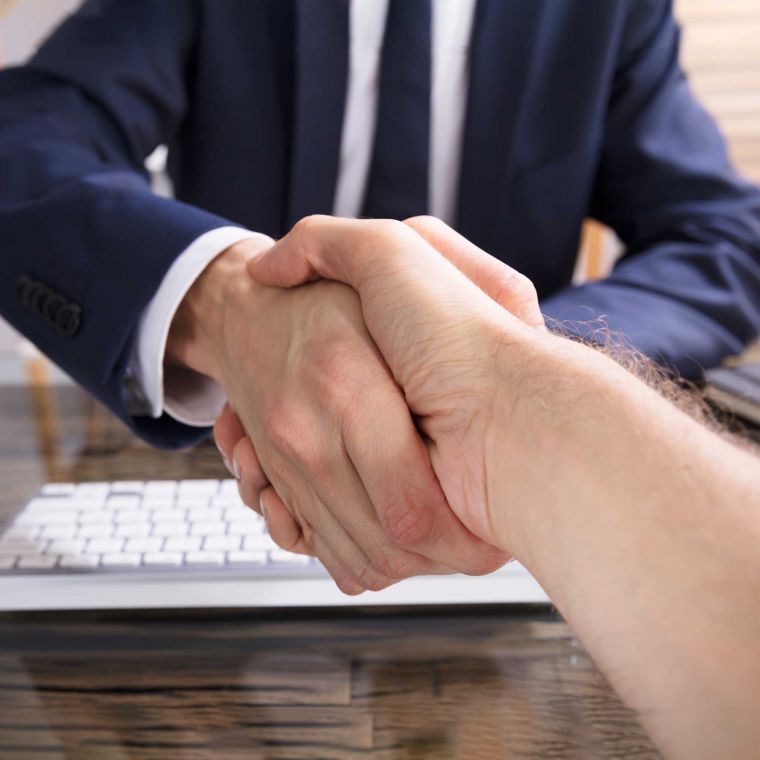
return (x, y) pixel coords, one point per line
(397, 186)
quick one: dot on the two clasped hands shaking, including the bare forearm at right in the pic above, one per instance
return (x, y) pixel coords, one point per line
(396, 407)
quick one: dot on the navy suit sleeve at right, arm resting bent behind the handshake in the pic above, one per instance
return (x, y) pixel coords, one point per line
(687, 291)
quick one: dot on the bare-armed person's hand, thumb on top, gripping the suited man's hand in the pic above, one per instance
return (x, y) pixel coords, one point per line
(428, 319)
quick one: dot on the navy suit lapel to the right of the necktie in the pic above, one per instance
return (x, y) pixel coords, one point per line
(501, 49)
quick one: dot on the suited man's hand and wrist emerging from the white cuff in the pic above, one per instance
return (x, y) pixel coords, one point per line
(330, 428)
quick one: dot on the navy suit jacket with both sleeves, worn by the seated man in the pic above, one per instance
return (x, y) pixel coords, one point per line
(575, 109)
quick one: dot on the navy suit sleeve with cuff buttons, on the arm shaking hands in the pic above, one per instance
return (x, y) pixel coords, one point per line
(85, 243)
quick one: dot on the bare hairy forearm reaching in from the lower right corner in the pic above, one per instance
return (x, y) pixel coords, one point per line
(645, 533)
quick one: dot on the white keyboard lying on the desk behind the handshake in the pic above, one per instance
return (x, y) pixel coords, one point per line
(188, 543)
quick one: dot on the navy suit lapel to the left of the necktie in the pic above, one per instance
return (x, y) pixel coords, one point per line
(321, 73)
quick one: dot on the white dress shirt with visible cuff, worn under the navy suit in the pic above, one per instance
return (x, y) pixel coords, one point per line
(196, 400)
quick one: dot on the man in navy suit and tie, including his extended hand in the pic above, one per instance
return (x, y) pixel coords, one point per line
(513, 120)
